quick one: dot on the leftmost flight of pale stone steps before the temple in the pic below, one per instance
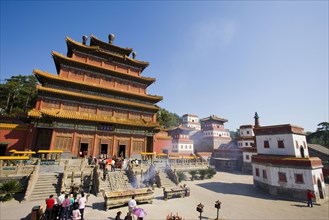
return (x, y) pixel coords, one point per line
(46, 185)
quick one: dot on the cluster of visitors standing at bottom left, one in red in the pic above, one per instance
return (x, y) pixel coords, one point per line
(66, 206)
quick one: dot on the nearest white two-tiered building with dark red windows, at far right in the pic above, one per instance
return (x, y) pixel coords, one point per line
(283, 166)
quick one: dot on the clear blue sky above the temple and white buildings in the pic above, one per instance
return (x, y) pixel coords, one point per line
(227, 58)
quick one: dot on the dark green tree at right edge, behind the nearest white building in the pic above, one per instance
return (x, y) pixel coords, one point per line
(320, 136)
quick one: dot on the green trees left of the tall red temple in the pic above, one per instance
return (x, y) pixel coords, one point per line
(18, 95)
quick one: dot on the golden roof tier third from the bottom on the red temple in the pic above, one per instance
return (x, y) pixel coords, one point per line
(56, 77)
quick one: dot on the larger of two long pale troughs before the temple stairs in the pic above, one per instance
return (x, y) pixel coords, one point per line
(115, 199)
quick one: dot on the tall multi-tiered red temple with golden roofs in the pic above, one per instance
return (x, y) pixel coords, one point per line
(96, 104)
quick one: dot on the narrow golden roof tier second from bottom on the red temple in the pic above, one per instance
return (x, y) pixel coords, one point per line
(95, 97)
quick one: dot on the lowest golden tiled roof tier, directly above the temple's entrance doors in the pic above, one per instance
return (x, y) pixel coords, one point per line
(64, 114)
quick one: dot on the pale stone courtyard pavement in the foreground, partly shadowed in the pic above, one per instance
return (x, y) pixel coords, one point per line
(240, 200)
